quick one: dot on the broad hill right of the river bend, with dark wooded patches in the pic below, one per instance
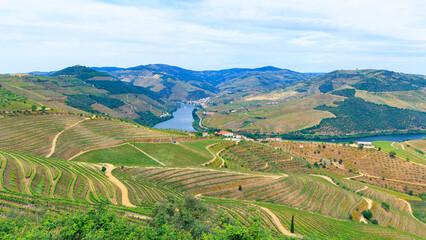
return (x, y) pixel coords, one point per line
(362, 102)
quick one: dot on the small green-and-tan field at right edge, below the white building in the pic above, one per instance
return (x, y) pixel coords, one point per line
(403, 150)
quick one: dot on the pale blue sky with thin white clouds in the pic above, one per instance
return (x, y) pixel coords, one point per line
(301, 35)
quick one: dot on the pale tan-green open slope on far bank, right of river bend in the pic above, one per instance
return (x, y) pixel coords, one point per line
(278, 118)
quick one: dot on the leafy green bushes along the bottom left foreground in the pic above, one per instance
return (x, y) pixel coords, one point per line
(175, 219)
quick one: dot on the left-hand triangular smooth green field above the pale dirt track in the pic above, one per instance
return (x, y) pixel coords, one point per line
(123, 155)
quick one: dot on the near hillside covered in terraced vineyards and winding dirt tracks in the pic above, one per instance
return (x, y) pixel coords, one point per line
(132, 169)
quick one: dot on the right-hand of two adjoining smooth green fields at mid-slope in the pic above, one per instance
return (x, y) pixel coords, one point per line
(174, 154)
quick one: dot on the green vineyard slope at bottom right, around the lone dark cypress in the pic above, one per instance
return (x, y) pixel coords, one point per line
(306, 223)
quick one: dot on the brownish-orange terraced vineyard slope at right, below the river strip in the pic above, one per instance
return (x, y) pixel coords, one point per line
(381, 168)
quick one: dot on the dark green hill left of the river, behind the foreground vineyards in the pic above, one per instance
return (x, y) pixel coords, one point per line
(84, 90)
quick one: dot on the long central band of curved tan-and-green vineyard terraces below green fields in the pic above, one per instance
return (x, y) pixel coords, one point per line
(308, 193)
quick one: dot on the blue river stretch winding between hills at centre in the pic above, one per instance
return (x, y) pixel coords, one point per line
(182, 119)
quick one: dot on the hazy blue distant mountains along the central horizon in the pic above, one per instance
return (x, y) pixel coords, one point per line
(176, 83)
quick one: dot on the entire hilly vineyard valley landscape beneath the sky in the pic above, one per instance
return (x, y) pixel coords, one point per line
(81, 139)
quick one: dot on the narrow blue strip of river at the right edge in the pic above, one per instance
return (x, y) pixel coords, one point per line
(391, 138)
